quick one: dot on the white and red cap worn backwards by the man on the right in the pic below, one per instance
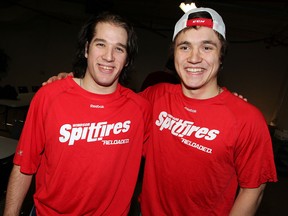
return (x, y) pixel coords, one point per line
(216, 23)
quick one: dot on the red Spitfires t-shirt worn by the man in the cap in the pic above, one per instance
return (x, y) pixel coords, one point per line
(201, 150)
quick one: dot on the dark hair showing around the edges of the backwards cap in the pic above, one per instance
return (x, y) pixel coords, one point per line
(224, 43)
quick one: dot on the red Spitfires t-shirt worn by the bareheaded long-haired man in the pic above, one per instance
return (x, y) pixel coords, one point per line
(84, 148)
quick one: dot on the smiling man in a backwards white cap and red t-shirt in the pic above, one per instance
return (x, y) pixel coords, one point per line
(206, 142)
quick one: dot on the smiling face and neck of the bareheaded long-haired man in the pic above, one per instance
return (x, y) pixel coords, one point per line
(106, 56)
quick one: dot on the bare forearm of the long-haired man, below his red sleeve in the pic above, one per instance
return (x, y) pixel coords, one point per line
(18, 186)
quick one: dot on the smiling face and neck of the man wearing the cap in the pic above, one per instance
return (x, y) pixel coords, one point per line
(197, 54)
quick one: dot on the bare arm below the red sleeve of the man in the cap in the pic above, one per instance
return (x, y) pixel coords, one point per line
(247, 201)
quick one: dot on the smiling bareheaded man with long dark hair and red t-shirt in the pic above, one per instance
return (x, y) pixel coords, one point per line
(83, 136)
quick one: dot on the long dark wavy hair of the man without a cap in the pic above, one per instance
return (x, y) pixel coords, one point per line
(87, 33)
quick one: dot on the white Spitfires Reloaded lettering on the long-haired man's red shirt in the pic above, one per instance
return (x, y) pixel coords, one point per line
(92, 132)
